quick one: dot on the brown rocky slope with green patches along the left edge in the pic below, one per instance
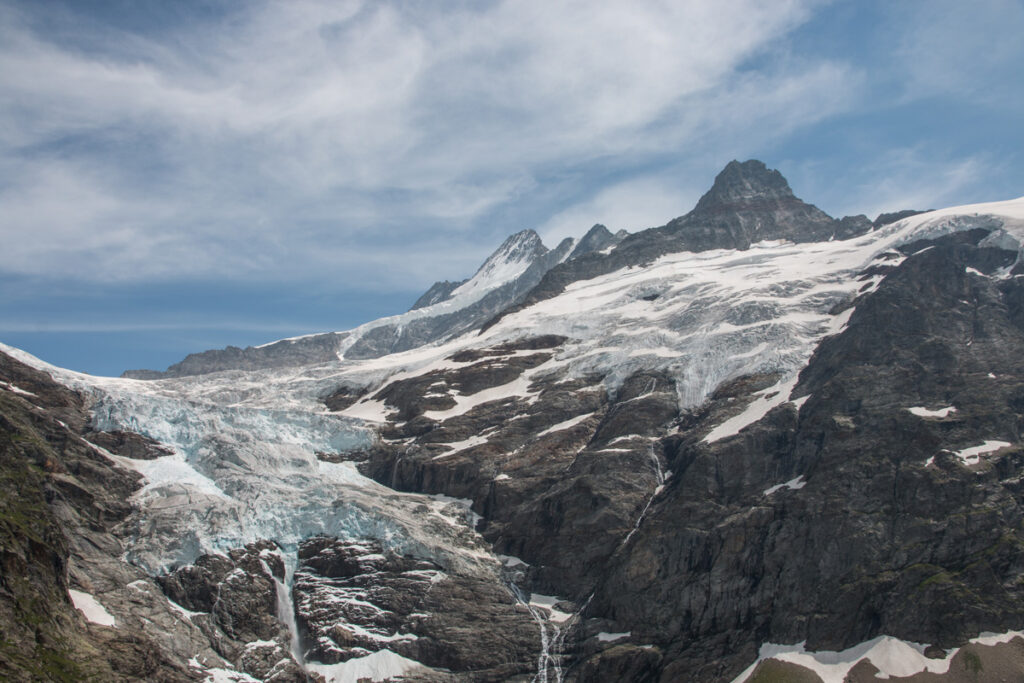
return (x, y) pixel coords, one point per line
(61, 499)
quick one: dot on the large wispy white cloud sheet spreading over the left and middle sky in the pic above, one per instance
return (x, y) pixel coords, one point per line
(300, 140)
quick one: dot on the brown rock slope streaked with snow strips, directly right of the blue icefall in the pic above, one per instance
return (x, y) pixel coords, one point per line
(560, 478)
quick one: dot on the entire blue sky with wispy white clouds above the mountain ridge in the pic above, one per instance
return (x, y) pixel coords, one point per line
(178, 177)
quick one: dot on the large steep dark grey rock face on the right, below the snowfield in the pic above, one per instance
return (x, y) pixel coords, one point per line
(892, 533)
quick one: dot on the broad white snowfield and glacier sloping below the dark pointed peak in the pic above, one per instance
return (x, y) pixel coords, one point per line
(714, 316)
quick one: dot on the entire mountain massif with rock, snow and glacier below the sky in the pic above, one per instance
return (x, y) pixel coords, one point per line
(757, 444)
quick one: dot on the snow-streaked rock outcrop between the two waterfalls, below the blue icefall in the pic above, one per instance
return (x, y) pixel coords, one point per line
(355, 599)
